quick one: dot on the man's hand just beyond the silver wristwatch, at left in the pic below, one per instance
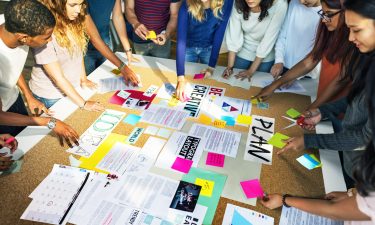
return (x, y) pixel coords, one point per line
(66, 133)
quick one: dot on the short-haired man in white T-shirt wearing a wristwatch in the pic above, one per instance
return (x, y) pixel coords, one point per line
(28, 23)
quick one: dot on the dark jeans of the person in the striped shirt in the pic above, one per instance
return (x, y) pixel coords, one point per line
(152, 49)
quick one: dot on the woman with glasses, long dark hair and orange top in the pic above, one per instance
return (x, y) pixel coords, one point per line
(333, 48)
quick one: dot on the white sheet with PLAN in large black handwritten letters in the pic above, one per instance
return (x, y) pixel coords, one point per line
(257, 149)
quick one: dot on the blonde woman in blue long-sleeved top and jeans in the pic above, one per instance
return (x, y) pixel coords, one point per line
(200, 32)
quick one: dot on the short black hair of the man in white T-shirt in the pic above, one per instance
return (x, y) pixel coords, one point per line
(28, 17)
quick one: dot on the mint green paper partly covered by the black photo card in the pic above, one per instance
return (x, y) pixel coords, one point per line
(210, 202)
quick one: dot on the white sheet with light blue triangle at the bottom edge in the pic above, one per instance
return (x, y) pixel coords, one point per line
(235, 214)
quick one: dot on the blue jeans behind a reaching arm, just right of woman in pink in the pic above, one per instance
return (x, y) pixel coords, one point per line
(93, 58)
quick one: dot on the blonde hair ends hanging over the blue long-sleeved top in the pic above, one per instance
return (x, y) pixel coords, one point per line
(196, 8)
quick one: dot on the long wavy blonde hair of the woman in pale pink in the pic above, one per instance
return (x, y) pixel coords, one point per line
(69, 34)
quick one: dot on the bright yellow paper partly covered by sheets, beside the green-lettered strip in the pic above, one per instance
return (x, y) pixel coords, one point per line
(101, 152)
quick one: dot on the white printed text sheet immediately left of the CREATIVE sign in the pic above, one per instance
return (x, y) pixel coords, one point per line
(165, 116)
